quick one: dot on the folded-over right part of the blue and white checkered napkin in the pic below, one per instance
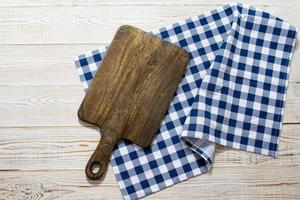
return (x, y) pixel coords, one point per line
(240, 101)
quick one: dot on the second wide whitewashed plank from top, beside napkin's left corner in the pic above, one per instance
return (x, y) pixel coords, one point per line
(53, 64)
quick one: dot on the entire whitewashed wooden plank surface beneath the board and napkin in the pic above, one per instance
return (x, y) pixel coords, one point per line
(44, 148)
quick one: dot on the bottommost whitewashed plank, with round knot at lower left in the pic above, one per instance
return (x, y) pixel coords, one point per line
(264, 182)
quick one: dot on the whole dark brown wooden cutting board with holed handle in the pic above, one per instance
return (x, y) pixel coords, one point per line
(131, 91)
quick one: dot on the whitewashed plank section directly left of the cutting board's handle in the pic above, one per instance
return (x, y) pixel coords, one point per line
(53, 148)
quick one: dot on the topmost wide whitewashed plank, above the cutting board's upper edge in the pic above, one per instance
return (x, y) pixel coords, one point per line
(97, 24)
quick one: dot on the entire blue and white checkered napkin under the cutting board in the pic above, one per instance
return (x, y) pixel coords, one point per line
(232, 93)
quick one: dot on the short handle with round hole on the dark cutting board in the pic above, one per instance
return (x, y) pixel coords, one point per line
(98, 163)
